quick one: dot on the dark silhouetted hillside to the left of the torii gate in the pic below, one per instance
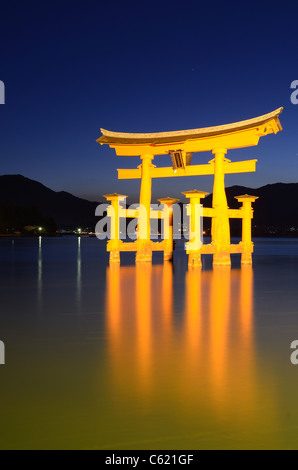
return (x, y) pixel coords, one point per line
(68, 211)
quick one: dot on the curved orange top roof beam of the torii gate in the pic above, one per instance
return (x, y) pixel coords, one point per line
(236, 135)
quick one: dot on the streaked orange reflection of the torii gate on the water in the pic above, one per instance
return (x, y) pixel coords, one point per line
(197, 356)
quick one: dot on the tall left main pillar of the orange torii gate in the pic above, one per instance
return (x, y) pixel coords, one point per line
(144, 249)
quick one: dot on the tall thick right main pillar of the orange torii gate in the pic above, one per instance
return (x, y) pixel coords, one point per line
(220, 230)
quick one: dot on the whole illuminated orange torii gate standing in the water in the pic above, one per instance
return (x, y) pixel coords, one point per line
(181, 145)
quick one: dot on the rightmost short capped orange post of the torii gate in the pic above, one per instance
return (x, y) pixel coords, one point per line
(247, 244)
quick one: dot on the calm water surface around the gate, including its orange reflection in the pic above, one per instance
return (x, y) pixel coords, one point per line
(146, 357)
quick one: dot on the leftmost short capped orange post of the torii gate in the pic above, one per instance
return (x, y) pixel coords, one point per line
(113, 212)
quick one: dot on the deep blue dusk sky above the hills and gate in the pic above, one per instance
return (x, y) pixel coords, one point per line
(72, 67)
